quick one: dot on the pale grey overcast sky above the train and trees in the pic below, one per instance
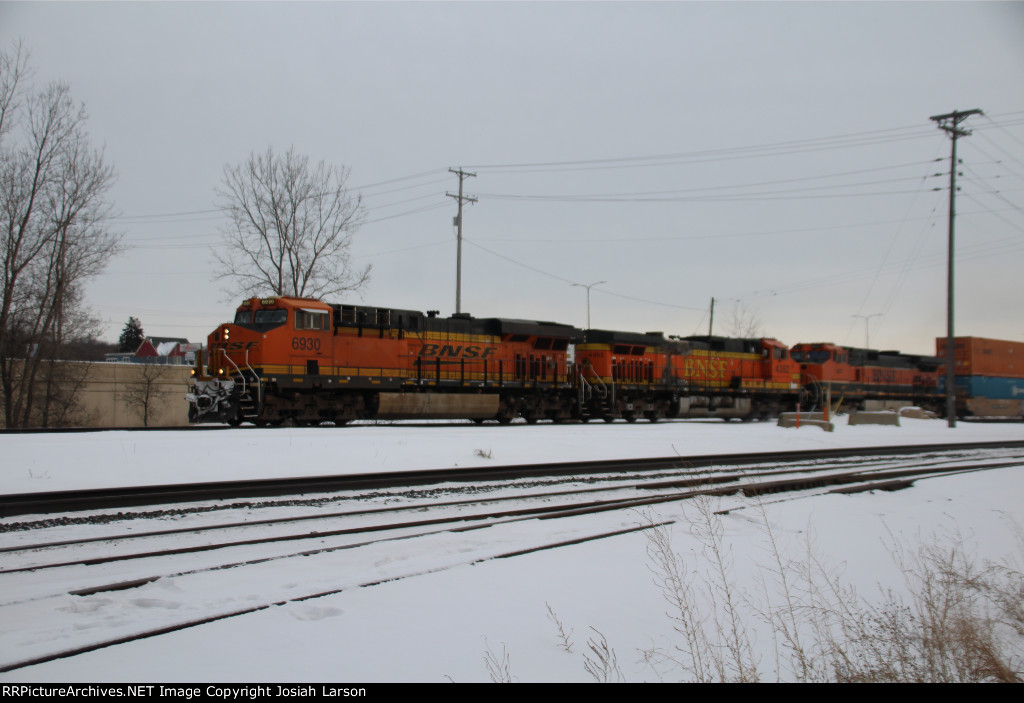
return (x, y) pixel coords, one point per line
(775, 156)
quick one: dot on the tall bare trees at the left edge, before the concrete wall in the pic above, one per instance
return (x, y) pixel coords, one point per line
(54, 234)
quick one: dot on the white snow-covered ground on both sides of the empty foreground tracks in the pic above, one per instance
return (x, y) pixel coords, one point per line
(447, 623)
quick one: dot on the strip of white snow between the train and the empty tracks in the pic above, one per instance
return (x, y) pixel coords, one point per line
(95, 460)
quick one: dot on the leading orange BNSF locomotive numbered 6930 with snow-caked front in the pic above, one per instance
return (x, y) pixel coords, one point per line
(305, 361)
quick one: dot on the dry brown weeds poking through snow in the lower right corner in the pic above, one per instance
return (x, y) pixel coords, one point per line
(959, 623)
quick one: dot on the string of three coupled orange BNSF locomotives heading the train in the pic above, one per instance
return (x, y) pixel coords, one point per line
(308, 362)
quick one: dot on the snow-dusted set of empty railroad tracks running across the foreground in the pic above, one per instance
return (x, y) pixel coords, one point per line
(327, 546)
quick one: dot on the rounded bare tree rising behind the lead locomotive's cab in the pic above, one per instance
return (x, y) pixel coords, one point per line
(291, 228)
